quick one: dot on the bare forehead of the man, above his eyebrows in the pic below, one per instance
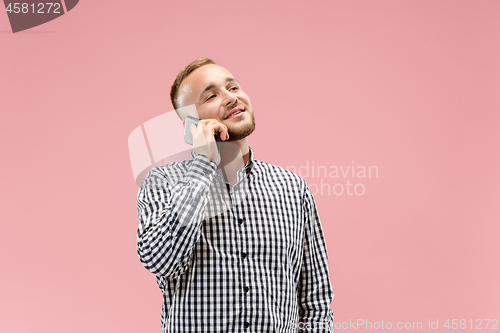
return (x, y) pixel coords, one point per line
(204, 76)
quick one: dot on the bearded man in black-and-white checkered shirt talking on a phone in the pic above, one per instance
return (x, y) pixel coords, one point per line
(249, 256)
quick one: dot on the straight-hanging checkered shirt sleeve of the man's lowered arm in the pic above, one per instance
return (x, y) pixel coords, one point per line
(315, 292)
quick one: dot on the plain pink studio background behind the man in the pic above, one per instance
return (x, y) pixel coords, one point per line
(411, 87)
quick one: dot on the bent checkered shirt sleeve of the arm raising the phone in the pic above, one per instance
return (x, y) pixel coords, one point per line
(170, 217)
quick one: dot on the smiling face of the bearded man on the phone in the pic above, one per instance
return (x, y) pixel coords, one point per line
(217, 95)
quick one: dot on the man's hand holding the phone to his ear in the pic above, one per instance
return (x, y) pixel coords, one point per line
(204, 138)
